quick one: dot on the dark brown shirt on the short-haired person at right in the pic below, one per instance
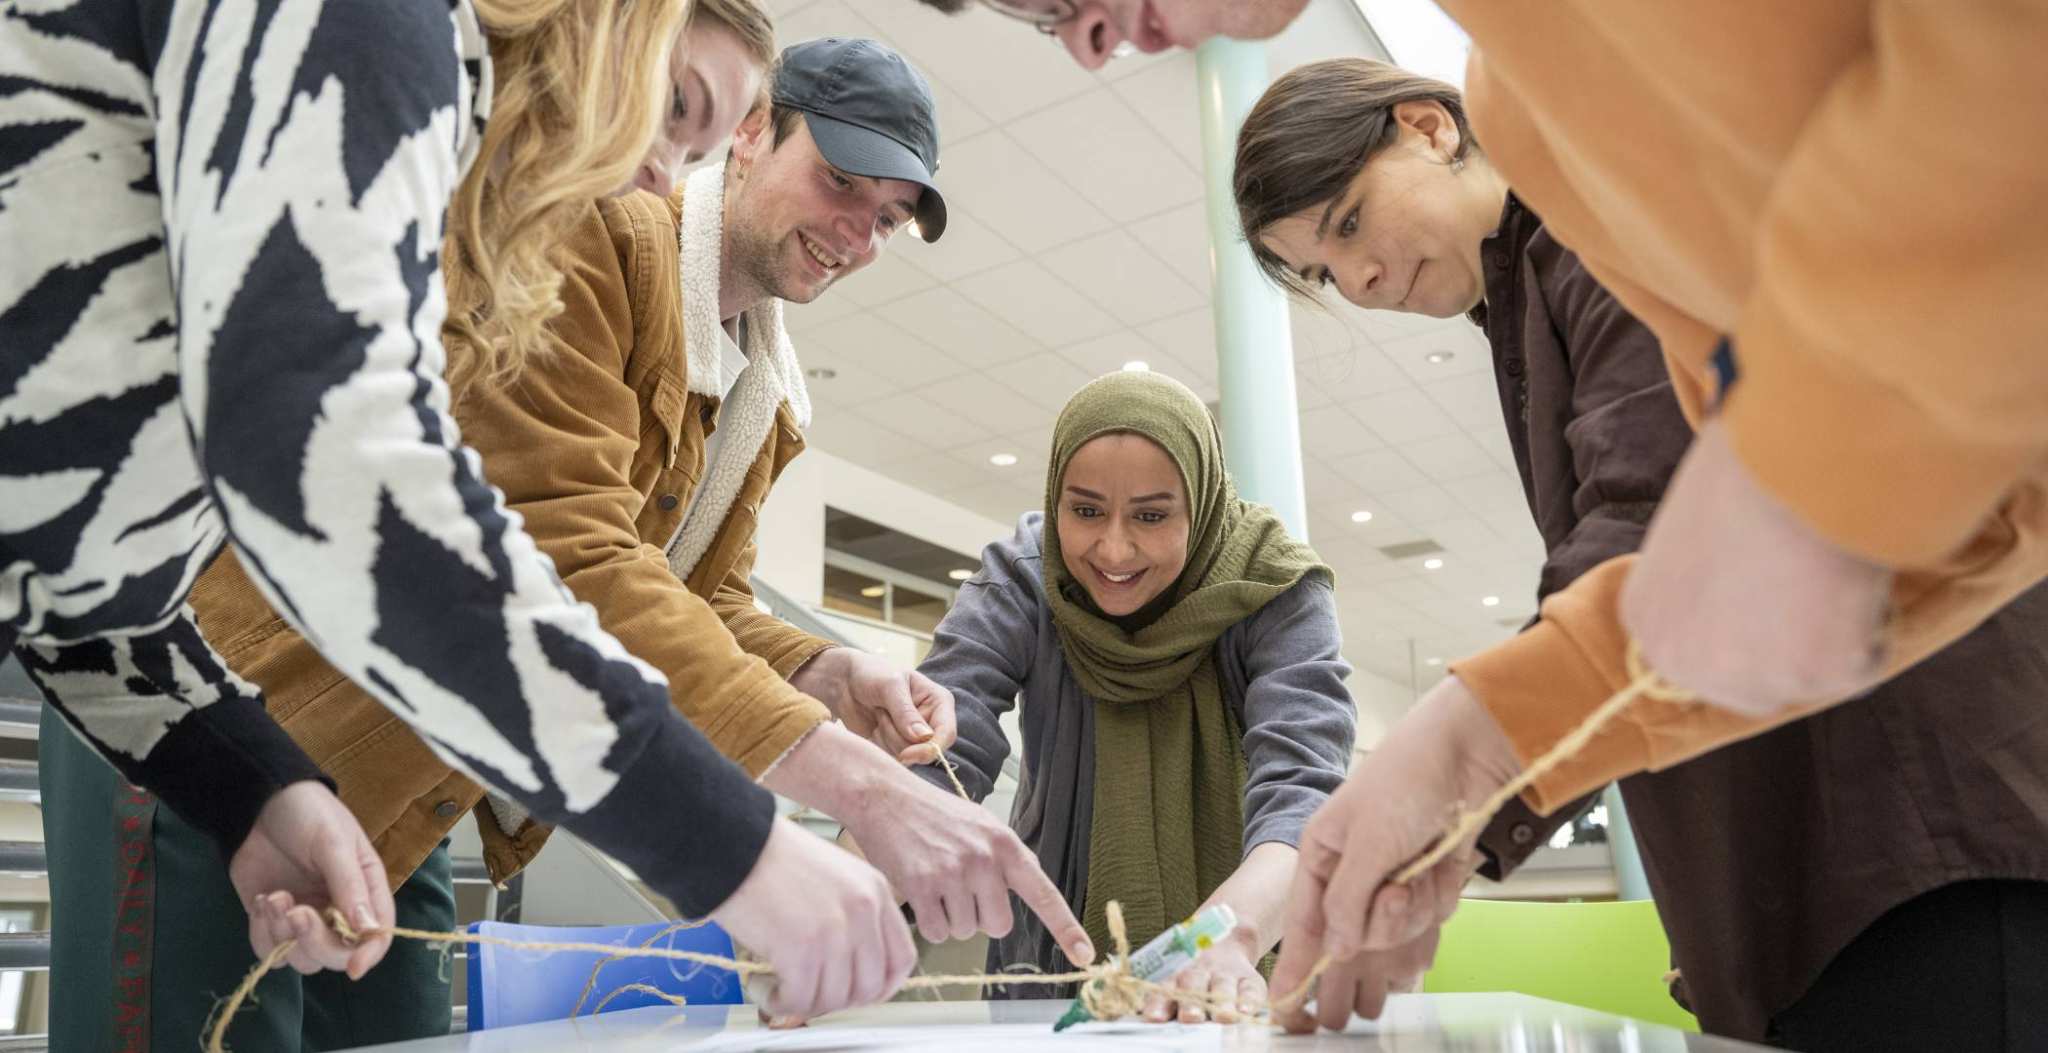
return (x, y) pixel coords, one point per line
(1770, 855)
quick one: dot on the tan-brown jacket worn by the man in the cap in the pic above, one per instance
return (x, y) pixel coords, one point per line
(599, 446)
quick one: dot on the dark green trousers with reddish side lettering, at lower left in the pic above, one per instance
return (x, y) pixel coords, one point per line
(148, 935)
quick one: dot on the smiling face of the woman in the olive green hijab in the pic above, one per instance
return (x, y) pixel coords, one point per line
(1123, 521)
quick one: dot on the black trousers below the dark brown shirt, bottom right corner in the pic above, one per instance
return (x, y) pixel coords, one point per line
(1963, 968)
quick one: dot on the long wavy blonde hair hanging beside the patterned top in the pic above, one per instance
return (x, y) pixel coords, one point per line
(581, 89)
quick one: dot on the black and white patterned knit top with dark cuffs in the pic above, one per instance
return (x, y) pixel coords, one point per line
(220, 304)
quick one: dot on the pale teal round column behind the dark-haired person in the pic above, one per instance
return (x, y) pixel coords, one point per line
(1254, 341)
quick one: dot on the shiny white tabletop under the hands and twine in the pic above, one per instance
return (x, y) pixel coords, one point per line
(1420, 1023)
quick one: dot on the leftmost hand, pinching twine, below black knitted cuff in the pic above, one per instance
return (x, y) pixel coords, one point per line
(306, 855)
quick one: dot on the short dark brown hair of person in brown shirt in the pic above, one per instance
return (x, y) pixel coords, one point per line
(1310, 136)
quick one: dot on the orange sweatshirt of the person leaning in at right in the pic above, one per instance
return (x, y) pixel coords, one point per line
(1852, 194)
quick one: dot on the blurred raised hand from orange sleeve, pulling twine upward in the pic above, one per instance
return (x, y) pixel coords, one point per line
(1740, 603)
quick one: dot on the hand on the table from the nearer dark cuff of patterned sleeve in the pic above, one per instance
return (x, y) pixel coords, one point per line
(824, 921)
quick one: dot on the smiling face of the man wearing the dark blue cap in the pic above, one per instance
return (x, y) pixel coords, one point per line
(796, 222)
